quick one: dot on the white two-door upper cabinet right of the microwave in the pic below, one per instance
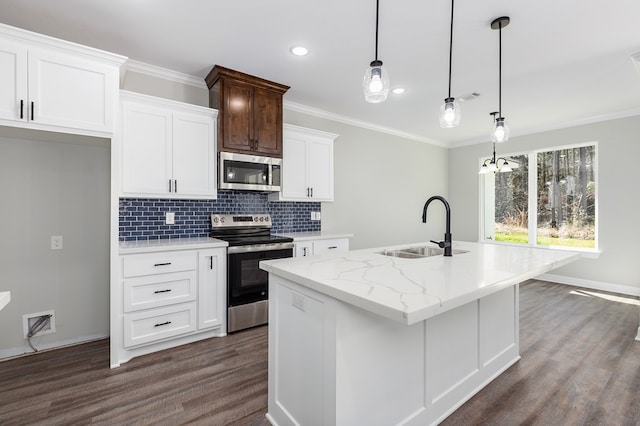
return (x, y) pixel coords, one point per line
(307, 165)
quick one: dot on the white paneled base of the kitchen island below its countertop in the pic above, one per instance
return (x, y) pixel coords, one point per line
(332, 363)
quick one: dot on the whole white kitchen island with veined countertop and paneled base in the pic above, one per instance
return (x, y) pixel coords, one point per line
(367, 338)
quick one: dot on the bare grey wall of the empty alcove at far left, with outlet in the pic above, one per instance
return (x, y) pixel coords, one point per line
(54, 184)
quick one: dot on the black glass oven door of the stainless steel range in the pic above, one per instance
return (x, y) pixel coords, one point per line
(247, 283)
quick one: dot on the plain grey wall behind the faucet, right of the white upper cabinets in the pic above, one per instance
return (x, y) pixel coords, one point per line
(381, 184)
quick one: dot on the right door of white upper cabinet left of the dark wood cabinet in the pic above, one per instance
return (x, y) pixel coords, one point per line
(194, 166)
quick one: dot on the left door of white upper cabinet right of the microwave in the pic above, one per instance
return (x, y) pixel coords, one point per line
(294, 167)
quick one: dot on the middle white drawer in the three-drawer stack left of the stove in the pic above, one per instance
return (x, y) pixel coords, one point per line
(153, 291)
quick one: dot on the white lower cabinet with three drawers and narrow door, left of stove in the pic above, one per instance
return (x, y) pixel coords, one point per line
(169, 298)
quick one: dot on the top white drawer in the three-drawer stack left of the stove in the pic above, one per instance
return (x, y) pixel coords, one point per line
(134, 265)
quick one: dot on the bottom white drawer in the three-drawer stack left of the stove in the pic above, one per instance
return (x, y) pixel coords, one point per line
(157, 324)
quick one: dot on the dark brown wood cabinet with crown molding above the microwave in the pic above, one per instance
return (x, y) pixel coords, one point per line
(249, 112)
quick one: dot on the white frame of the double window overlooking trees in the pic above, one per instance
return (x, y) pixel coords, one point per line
(532, 198)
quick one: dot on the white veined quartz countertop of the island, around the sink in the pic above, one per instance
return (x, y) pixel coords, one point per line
(412, 290)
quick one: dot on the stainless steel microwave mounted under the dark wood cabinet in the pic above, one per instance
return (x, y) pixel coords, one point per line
(249, 172)
